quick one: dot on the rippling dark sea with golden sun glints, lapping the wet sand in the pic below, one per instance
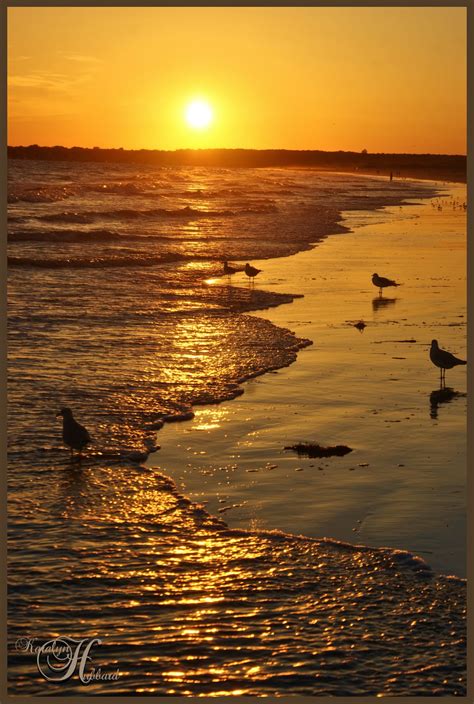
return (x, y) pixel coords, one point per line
(127, 331)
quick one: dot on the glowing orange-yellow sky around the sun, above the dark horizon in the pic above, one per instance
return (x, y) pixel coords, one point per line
(381, 79)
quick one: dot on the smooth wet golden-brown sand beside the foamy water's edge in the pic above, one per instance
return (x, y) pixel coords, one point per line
(403, 485)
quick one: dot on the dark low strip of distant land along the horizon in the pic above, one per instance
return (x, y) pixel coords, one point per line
(436, 167)
